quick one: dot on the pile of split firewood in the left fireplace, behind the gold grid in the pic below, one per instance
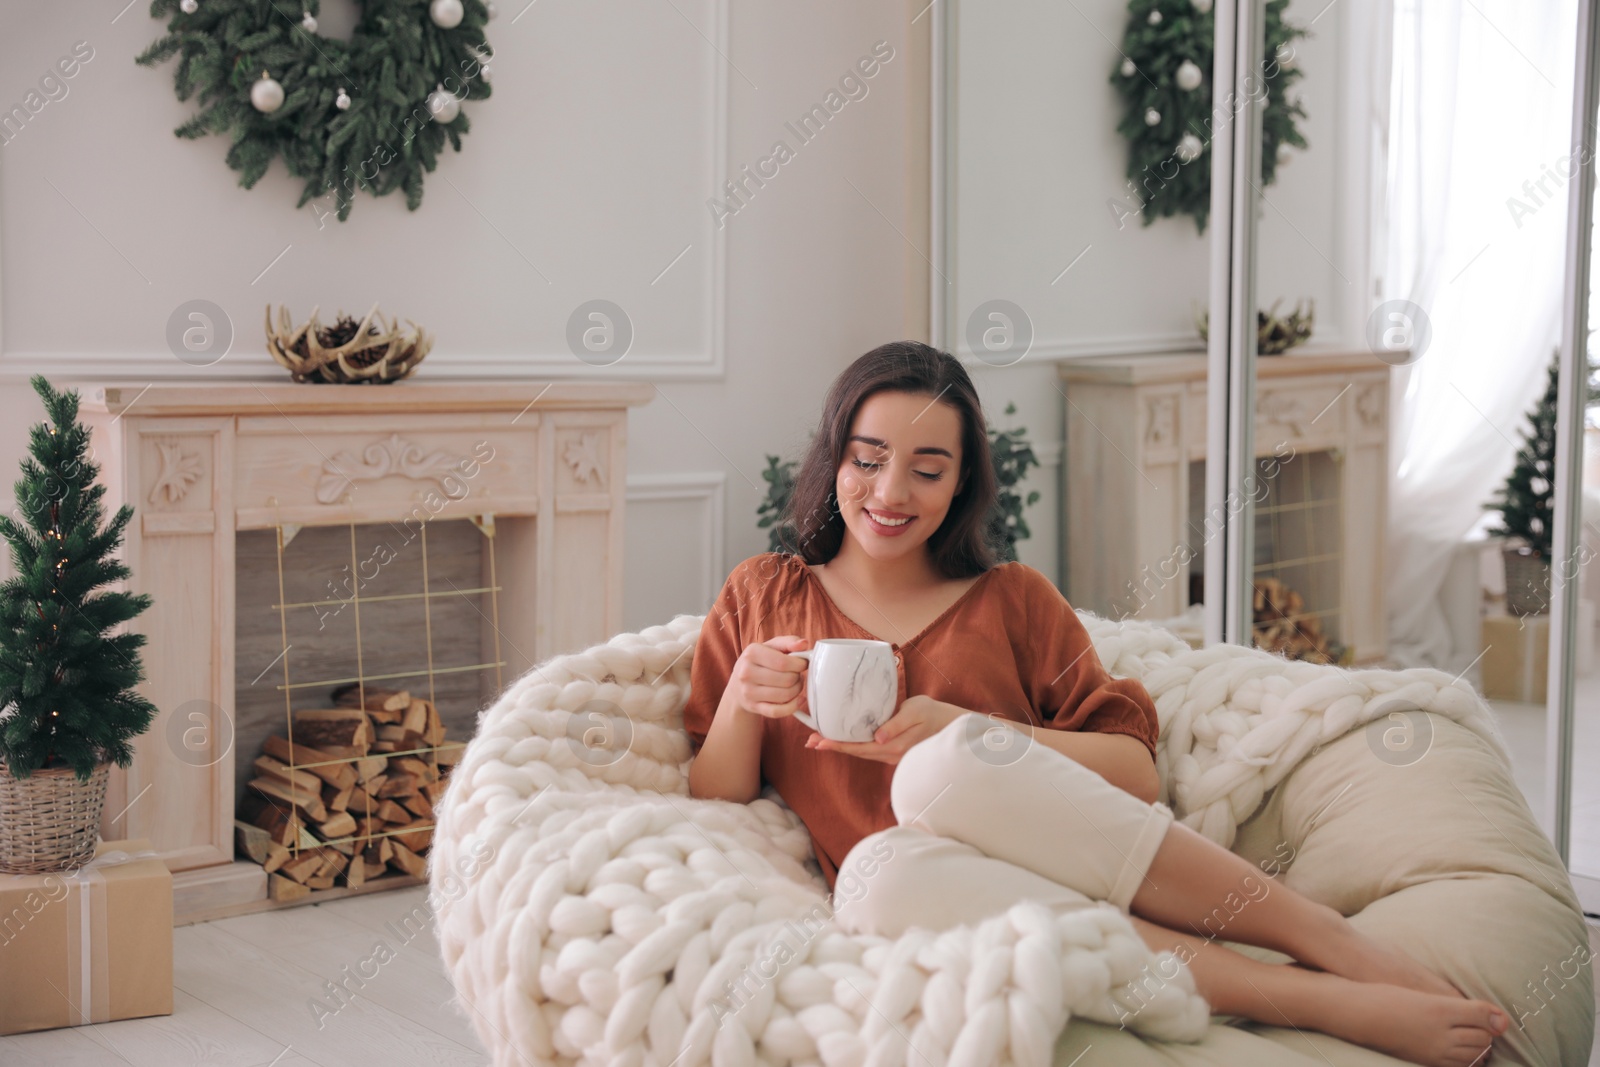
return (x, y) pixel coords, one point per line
(351, 799)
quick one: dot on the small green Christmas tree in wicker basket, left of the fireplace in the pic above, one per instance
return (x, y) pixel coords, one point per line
(66, 682)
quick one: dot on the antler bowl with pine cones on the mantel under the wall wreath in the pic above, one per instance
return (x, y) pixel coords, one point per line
(346, 351)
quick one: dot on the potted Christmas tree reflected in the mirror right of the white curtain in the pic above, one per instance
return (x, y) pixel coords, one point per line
(1527, 503)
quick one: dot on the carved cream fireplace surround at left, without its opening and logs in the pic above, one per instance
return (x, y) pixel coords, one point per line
(540, 465)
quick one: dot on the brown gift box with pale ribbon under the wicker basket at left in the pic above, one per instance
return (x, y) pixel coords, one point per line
(87, 946)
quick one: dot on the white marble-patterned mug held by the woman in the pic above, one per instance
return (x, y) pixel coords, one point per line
(852, 687)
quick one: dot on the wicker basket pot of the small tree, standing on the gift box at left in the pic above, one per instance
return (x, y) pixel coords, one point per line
(50, 820)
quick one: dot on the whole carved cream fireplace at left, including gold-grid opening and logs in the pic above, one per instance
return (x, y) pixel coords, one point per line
(516, 490)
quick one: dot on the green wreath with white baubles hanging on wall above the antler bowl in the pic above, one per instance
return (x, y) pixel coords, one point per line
(372, 113)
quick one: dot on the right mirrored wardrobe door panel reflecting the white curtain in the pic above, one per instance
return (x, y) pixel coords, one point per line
(1410, 274)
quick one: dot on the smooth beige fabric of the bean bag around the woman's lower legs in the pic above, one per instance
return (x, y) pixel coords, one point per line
(1439, 857)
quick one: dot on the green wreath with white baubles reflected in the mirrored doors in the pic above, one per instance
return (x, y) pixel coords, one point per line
(1166, 84)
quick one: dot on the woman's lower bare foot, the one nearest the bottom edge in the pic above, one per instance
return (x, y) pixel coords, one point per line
(1417, 1028)
